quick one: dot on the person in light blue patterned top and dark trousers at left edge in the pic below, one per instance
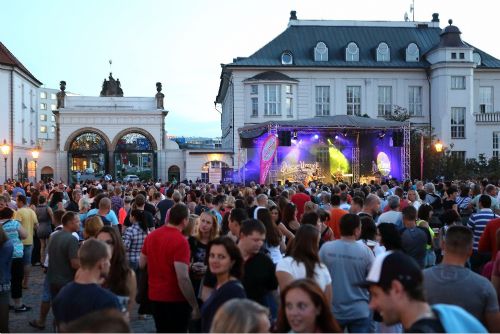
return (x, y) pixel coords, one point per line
(16, 234)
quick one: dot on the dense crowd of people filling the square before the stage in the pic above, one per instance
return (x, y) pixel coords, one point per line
(392, 257)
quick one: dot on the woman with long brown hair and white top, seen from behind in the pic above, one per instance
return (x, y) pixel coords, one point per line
(302, 261)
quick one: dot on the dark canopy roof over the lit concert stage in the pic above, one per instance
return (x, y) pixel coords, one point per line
(324, 123)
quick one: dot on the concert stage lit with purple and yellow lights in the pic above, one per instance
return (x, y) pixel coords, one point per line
(327, 149)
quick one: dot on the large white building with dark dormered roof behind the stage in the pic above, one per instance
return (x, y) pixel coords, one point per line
(325, 68)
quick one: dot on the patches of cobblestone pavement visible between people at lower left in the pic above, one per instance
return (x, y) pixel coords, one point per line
(18, 322)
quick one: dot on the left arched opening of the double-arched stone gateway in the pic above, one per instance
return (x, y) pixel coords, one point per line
(87, 157)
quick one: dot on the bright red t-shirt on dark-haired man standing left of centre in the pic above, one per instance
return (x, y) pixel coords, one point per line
(163, 247)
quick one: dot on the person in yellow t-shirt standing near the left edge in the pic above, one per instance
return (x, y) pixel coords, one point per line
(27, 218)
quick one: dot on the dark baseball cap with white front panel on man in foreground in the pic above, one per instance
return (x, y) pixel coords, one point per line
(393, 265)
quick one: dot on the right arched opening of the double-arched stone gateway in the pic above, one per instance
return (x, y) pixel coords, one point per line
(134, 155)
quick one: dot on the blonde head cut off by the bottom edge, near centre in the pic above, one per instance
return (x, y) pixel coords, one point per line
(241, 316)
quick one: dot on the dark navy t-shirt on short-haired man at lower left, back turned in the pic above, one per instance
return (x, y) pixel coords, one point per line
(76, 300)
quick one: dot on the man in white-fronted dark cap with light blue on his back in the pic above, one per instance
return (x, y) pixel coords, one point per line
(396, 287)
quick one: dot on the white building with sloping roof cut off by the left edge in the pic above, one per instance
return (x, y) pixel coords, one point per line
(18, 113)
